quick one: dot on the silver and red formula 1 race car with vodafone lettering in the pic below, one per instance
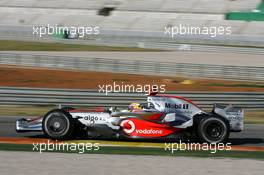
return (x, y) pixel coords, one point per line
(162, 117)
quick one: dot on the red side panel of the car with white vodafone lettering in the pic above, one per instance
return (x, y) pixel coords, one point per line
(149, 129)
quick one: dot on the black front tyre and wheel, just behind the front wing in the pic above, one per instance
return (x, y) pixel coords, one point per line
(58, 125)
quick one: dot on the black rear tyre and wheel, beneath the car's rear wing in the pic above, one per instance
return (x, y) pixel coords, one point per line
(213, 130)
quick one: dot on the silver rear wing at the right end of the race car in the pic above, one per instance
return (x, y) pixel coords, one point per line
(235, 115)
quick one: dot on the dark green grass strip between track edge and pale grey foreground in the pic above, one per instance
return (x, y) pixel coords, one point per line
(147, 151)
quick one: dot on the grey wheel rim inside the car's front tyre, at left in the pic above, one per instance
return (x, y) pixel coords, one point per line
(57, 124)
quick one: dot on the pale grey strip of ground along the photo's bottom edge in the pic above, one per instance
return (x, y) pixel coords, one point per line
(35, 163)
